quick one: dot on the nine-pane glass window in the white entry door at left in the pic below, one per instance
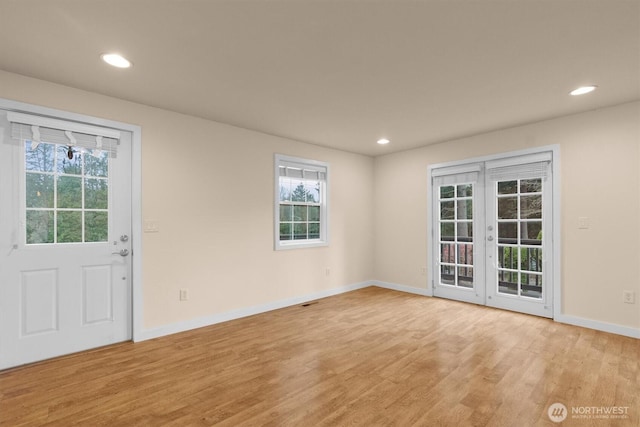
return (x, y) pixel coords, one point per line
(66, 194)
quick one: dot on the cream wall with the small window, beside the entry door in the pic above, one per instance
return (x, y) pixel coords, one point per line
(216, 219)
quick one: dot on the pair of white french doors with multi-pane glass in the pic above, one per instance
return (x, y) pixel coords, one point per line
(492, 232)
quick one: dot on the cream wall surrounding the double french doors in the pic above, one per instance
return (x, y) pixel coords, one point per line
(600, 160)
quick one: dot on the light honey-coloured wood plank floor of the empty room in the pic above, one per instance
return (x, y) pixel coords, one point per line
(370, 357)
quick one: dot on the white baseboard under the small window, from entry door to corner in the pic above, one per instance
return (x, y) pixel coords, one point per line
(243, 312)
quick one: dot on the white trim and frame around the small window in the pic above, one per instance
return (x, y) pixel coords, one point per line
(282, 160)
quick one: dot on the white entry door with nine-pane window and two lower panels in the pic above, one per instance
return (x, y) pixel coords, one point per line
(65, 227)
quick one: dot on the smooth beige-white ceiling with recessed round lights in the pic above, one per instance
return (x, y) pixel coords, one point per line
(338, 73)
